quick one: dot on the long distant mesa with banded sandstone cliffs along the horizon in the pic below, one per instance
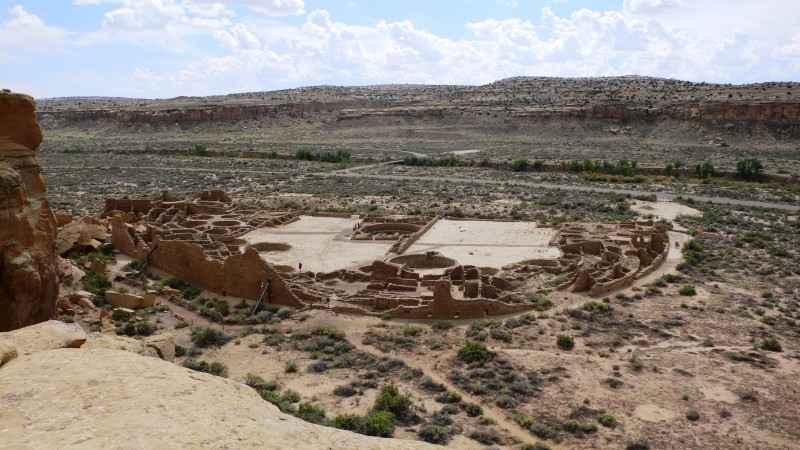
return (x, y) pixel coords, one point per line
(517, 101)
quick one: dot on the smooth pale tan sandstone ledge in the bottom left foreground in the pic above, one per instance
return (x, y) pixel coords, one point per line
(53, 396)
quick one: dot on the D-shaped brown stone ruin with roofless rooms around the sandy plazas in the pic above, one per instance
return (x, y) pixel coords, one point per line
(200, 241)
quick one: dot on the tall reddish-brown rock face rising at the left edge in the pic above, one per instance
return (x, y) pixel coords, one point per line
(28, 228)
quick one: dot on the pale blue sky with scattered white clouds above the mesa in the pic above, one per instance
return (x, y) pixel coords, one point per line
(169, 48)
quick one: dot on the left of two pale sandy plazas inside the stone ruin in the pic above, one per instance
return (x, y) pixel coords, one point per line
(322, 244)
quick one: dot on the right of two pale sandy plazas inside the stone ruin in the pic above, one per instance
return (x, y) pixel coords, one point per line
(487, 244)
